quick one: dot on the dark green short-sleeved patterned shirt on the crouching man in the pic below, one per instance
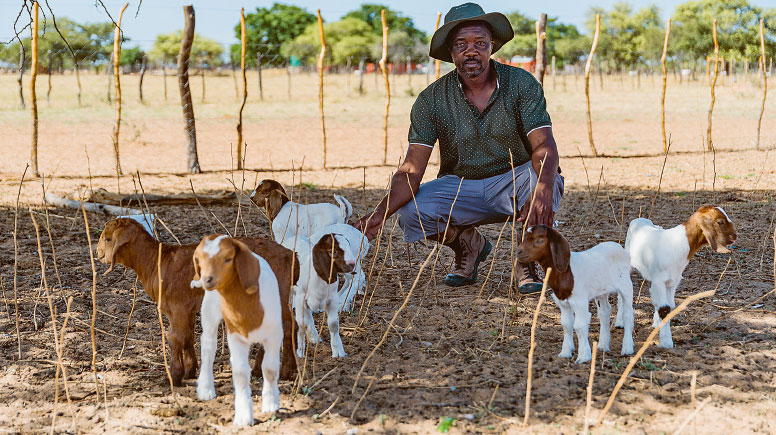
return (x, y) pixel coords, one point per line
(475, 145)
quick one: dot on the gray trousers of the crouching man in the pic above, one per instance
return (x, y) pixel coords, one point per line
(479, 202)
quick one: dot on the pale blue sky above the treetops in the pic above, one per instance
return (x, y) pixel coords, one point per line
(216, 18)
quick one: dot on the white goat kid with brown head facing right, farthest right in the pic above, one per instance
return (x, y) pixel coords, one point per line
(661, 255)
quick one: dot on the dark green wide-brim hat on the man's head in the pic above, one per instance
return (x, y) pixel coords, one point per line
(499, 24)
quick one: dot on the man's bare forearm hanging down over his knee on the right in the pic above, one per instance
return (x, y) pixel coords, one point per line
(544, 148)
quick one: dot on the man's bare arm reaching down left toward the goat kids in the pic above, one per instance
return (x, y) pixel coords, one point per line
(400, 192)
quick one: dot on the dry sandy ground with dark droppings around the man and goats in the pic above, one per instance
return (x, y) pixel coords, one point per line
(458, 353)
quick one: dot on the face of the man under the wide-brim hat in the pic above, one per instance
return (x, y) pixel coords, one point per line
(470, 47)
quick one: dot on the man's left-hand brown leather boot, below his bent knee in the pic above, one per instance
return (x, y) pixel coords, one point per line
(470, 248)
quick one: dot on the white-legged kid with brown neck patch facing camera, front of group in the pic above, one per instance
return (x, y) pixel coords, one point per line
(252, 311)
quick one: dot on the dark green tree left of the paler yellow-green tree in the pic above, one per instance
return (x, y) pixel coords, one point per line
(268, 29)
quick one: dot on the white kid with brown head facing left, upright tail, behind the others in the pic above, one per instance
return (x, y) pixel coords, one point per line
(290, 218)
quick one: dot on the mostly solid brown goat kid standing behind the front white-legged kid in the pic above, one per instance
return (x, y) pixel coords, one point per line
(125, 241)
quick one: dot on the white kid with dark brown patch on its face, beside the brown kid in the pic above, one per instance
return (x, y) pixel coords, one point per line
(316, 289)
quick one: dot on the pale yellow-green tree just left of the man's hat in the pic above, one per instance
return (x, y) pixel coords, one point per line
(347, 37)
